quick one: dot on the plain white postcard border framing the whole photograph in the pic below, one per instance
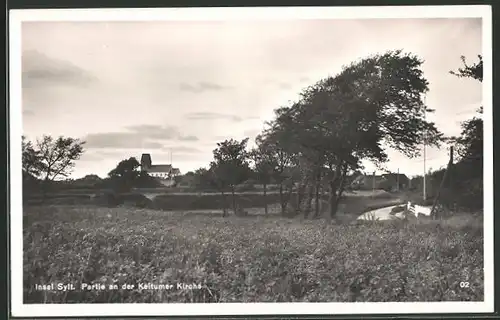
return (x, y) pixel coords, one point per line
(270, 13)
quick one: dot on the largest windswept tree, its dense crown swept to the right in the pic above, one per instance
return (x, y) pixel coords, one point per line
(371, 105)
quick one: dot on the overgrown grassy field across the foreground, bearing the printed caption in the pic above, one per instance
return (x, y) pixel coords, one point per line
(253, 259)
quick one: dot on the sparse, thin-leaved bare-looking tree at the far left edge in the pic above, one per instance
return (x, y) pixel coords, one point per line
(57, 157)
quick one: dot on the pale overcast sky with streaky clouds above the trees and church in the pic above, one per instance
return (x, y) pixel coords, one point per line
(133, 87)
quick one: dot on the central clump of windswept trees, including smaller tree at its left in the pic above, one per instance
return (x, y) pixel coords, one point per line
(371, 105)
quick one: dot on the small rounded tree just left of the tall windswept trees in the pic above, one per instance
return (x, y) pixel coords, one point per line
(230, 166)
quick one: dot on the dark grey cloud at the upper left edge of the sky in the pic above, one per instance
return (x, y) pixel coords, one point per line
(40, 69)
